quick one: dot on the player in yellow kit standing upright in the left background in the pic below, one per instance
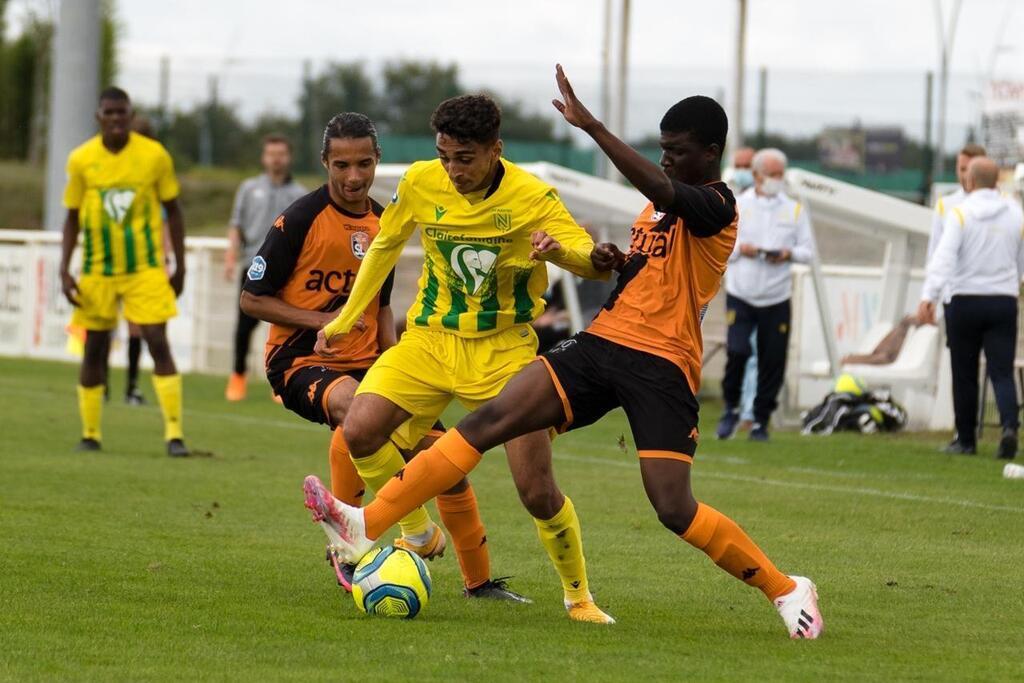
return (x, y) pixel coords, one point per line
(117, 183)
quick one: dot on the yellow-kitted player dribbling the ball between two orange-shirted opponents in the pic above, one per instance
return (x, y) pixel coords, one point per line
(486, 227)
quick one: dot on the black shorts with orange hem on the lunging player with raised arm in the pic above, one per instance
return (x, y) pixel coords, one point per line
(594, 376)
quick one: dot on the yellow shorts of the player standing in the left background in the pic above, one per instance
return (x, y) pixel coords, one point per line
(147, 297)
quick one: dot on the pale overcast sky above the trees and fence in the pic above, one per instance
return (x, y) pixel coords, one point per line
(830, 62)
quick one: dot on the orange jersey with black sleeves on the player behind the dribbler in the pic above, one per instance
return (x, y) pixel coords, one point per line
(310, 260)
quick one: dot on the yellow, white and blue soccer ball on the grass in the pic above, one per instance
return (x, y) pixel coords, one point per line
(392, 582)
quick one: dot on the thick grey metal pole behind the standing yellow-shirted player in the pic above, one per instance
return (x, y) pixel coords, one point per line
(74, 87)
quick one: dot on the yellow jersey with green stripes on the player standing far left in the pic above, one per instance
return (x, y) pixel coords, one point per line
(118, 198)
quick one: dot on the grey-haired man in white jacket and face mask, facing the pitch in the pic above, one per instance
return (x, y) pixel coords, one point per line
(775, 233)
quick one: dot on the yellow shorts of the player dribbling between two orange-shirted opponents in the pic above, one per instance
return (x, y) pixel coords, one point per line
(429, 368)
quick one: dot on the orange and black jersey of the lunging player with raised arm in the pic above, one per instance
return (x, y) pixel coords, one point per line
(670, 276)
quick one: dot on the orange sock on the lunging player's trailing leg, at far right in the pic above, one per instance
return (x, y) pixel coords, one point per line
(733, 550)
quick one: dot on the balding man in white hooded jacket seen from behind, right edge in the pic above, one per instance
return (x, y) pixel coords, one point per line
(978, 264)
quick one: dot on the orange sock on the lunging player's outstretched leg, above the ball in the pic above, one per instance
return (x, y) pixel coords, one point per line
(431, 473)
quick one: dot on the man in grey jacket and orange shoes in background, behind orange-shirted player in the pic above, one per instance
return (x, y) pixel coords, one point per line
(259, 202)
